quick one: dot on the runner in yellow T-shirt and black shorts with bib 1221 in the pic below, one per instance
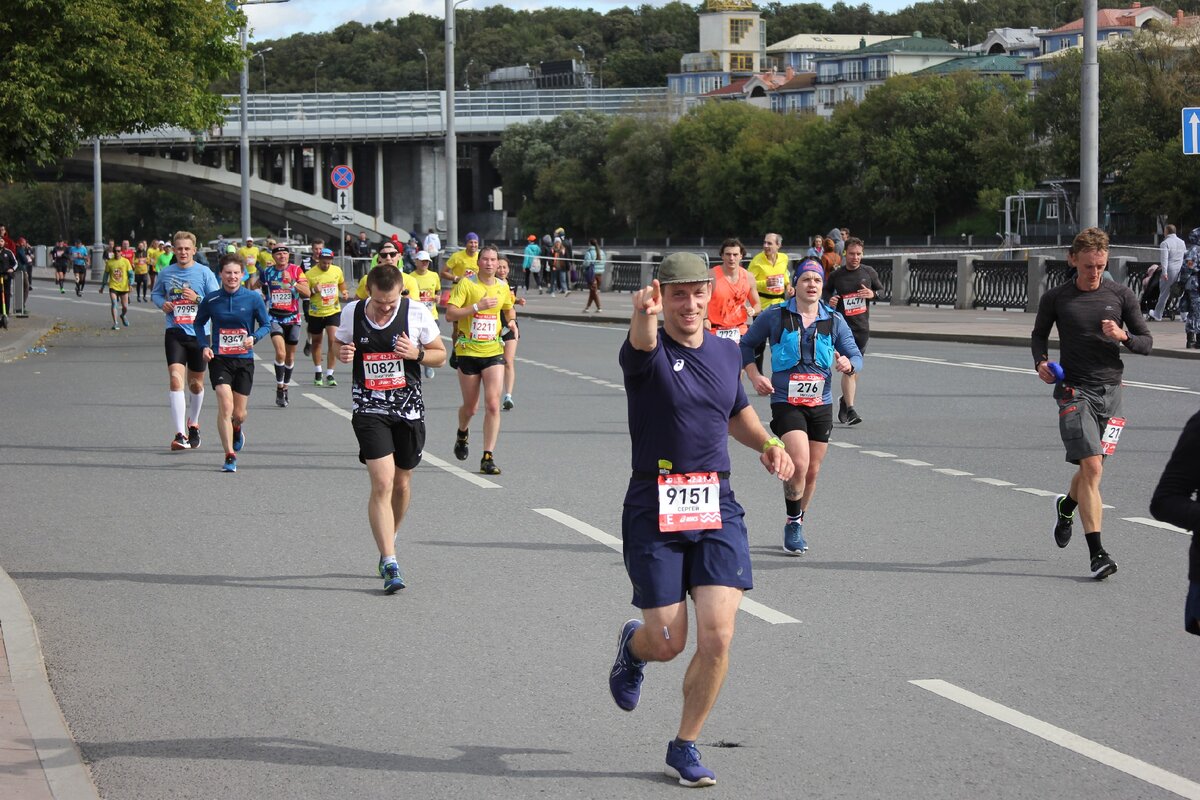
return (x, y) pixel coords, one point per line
(481, 309)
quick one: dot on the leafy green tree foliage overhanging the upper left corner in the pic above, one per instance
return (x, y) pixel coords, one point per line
(80, 69)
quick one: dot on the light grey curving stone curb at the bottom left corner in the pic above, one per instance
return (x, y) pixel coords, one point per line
(62, 763)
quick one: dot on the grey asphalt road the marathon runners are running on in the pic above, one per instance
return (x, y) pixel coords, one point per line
(226, 636)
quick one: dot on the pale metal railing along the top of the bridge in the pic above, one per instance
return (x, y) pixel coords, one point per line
(405, 115)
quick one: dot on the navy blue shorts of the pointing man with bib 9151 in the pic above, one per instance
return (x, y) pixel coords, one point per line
(664, 568)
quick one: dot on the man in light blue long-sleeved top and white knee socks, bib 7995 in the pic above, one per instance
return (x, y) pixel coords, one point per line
(178, 293)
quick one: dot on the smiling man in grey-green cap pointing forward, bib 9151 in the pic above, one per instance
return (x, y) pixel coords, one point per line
(682, 530)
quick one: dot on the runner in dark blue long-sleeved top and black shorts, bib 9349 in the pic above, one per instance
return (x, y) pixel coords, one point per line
(239, 321)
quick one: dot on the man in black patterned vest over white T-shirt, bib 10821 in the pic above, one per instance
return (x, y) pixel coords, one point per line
(388, 338)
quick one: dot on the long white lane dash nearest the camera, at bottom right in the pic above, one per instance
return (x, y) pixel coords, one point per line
(1057, 736)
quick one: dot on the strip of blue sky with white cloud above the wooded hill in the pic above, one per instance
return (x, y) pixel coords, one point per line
(274, 21)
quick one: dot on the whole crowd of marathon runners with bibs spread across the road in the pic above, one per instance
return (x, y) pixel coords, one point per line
(687, 382)
